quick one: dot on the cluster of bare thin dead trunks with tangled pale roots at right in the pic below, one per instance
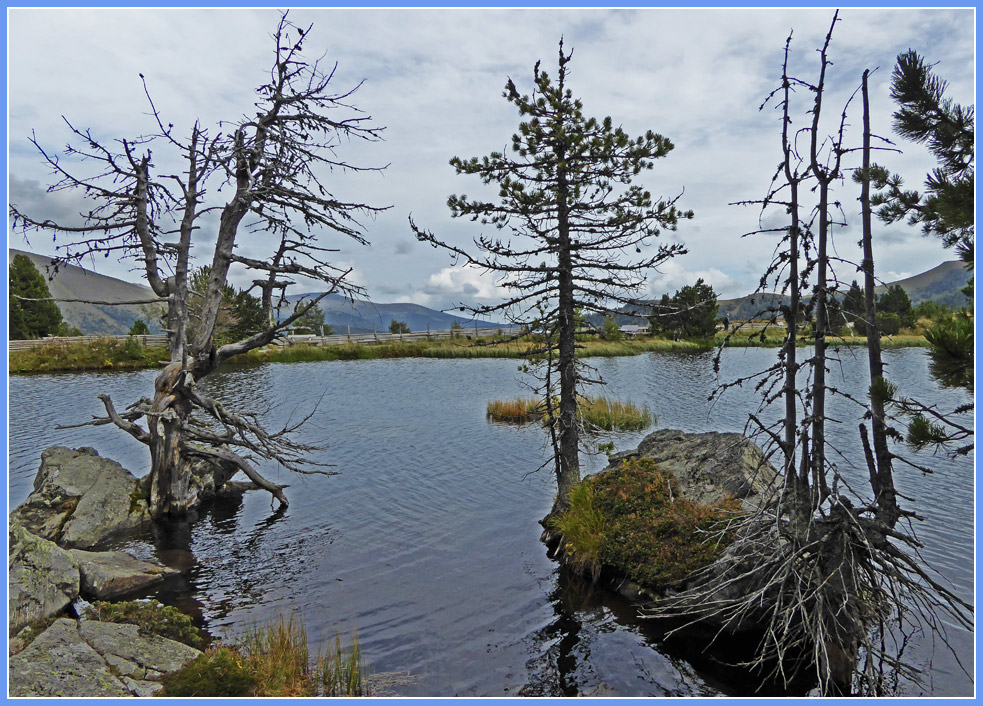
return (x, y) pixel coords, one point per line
(829, 578)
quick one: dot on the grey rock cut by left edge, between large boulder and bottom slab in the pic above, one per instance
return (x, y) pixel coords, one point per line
(43, 579)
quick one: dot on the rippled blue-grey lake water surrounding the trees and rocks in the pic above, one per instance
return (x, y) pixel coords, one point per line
(427, 543)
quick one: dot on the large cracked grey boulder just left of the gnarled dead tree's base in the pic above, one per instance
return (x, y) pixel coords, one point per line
(82, 500)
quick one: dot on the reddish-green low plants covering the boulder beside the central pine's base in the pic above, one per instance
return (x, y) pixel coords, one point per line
(633, 521)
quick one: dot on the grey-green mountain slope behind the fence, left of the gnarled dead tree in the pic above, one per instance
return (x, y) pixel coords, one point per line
(71, 282)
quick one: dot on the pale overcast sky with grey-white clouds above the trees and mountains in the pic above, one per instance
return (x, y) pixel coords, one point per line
(434, 79)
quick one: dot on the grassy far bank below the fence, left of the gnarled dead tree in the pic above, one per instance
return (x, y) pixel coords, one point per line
(102, 354)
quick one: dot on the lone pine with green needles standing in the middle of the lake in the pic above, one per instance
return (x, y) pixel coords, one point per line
(567, 199)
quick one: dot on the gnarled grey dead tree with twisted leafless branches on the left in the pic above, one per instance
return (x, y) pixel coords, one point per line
(272, 166)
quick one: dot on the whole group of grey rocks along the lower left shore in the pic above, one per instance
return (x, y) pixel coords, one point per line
(59, 561)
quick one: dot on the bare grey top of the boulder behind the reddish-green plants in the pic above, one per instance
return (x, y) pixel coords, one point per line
(709, 466)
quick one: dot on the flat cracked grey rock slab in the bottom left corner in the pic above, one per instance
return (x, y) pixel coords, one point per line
(94, 659)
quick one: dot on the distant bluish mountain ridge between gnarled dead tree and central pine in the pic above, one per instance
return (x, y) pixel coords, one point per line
(361, 316)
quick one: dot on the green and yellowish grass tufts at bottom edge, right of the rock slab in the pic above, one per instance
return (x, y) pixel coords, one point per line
(271, 661)
